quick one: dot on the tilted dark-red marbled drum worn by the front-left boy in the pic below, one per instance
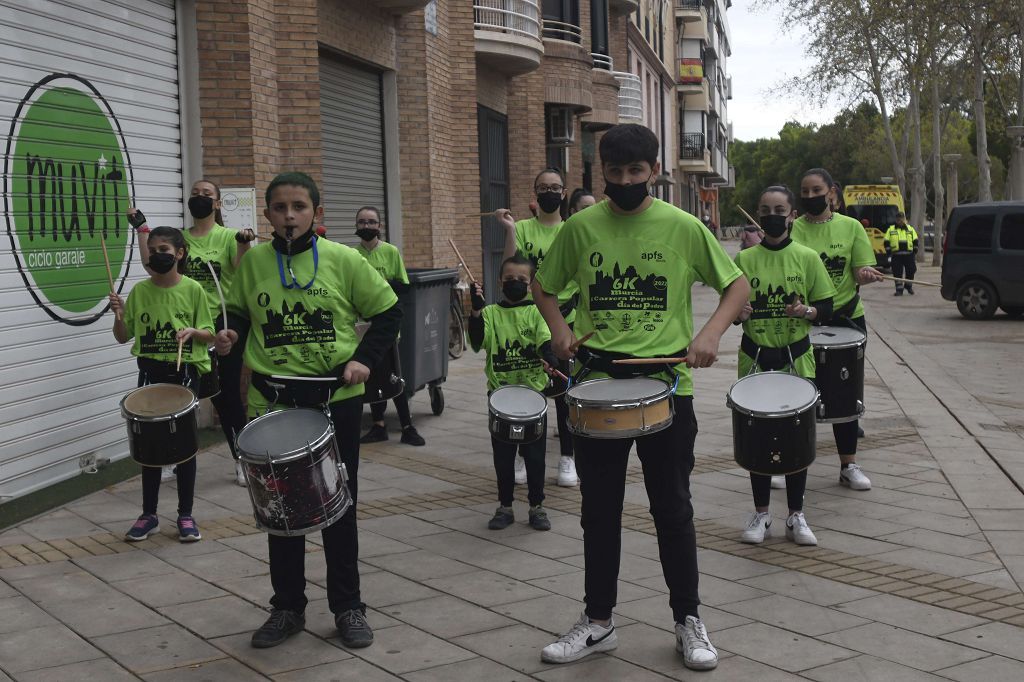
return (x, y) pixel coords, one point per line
(297, 483)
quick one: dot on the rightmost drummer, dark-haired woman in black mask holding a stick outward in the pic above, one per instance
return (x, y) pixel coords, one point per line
(846, 252)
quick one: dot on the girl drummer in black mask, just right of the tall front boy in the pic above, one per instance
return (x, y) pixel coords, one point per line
(777, 333)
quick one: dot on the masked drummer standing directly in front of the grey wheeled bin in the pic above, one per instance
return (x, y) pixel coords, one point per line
(387, 260)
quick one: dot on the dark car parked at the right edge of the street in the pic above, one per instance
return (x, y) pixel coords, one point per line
(984, 267)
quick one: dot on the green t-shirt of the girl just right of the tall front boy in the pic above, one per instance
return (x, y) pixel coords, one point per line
(776, 276)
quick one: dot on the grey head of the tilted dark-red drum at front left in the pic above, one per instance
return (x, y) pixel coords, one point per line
(278, 435)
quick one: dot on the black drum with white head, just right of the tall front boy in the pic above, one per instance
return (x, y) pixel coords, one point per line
(774, 425)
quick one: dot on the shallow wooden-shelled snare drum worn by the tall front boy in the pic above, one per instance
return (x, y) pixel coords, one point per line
(620, 408)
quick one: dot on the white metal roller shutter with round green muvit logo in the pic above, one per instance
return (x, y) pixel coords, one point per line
(90, 112)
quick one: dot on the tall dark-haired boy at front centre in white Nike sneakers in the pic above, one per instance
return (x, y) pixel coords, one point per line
(635, 260)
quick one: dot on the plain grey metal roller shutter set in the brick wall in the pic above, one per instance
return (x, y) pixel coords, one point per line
(353, 134)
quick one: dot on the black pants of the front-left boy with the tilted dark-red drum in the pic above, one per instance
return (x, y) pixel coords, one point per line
(342, 545)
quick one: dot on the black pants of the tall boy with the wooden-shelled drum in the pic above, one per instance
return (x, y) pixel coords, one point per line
(668, 460)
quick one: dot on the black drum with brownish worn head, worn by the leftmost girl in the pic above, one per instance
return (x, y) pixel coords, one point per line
(162, 425)
